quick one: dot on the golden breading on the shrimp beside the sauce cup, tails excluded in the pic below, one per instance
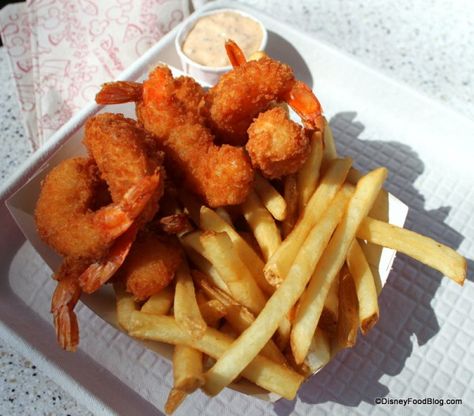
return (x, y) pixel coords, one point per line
(241, 94)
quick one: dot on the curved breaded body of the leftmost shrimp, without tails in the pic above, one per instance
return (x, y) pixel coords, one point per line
(63, 216)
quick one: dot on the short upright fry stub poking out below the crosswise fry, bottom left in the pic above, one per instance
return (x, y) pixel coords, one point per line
(187, 368)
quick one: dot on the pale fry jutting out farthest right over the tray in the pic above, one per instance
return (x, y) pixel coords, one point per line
(424, 249)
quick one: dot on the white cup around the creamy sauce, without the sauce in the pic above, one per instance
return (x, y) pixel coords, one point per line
(204, 73)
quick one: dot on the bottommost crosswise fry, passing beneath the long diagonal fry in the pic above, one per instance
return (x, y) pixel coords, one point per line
(261, 370)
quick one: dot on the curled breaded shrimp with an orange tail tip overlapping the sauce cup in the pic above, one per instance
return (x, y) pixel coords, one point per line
(241, 94)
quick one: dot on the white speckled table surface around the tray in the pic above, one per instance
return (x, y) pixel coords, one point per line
(428, 45)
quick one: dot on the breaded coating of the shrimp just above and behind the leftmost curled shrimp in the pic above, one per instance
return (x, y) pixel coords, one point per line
(124, 153)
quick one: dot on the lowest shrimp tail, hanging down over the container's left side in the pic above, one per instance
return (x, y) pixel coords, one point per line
(64, 300)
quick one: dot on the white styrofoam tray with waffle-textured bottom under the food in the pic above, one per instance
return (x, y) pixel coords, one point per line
(373, 119)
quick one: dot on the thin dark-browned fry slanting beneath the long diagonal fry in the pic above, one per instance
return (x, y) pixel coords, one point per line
(238, 316)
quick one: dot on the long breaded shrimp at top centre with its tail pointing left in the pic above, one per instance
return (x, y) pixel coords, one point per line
(221, 175)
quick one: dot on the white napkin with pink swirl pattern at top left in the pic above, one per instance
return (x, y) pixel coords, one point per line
(61, 51)
